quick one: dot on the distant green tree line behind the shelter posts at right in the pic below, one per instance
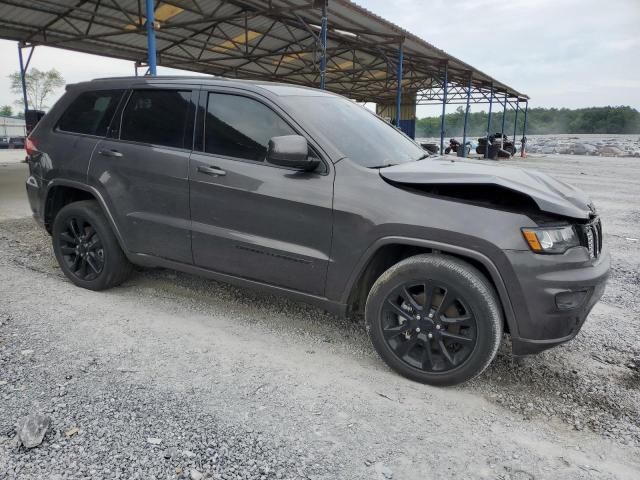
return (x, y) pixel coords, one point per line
(540, 121)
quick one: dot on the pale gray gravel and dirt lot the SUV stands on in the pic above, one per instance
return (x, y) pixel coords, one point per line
(171, 376)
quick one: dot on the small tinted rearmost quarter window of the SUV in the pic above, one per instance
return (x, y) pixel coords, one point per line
(91, 112)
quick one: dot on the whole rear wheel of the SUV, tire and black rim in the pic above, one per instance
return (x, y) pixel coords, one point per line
(87, 249)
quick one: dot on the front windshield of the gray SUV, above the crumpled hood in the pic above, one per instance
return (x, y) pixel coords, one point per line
(355, 131)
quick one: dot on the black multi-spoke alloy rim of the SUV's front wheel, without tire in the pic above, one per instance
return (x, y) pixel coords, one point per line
(429, 326)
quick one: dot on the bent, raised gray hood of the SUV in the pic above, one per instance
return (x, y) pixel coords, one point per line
(551, 195)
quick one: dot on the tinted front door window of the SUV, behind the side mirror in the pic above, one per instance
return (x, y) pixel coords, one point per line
(241, 127)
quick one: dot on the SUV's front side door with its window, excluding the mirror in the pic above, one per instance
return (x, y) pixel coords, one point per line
(251, 219)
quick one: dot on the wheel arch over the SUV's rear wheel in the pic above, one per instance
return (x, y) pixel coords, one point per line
(63, 192)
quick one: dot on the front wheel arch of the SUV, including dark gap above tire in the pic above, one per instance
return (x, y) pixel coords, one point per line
(390, 250)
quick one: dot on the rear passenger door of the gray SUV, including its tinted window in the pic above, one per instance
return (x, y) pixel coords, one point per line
(143, 170)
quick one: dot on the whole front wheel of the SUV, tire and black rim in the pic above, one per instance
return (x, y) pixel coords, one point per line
(413, 339)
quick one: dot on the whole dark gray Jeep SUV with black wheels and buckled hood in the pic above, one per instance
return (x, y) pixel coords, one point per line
(298, 191)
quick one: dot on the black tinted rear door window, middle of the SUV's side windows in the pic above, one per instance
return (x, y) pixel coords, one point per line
(159, 117)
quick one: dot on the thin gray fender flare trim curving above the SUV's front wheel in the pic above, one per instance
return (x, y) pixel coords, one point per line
(444, 248)
